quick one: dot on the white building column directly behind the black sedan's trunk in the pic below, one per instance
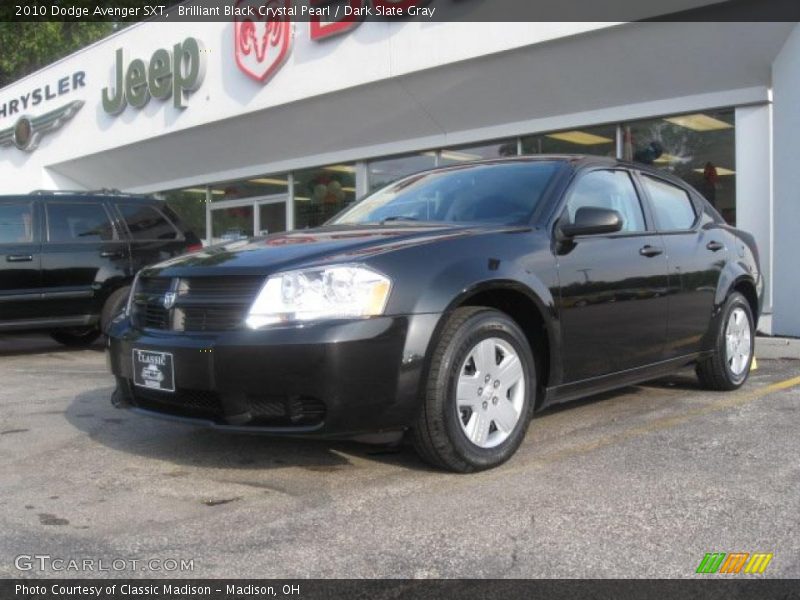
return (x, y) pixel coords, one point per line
(754, 200)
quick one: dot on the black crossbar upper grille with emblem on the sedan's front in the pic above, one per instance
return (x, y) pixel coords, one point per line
(200, 303)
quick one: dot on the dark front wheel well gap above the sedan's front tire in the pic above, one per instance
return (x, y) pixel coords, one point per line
(527, 315)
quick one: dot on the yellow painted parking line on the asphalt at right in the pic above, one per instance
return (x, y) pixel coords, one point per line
(729, 401)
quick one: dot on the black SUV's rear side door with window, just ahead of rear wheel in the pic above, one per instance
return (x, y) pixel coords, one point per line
(83, 258)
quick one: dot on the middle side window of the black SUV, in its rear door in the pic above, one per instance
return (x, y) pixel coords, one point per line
(75, 222)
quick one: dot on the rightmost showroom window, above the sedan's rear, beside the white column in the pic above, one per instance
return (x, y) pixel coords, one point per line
(700, 148)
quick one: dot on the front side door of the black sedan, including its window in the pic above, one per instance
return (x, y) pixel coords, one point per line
(613, 302)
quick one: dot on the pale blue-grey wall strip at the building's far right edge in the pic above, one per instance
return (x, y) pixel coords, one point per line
(786, 187)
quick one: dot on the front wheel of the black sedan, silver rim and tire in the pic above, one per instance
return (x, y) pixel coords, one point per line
(478, 397)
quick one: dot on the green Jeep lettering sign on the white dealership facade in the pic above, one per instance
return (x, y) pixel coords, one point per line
(169, 73)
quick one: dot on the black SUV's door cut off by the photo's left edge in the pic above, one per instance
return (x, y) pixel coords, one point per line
(20, 260)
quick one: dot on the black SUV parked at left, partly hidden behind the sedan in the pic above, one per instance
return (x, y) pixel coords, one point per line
(67, 259)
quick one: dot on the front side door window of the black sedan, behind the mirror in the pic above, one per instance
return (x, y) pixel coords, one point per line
(612, 190)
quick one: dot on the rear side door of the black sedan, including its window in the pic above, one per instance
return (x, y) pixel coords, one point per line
(696, 255)
